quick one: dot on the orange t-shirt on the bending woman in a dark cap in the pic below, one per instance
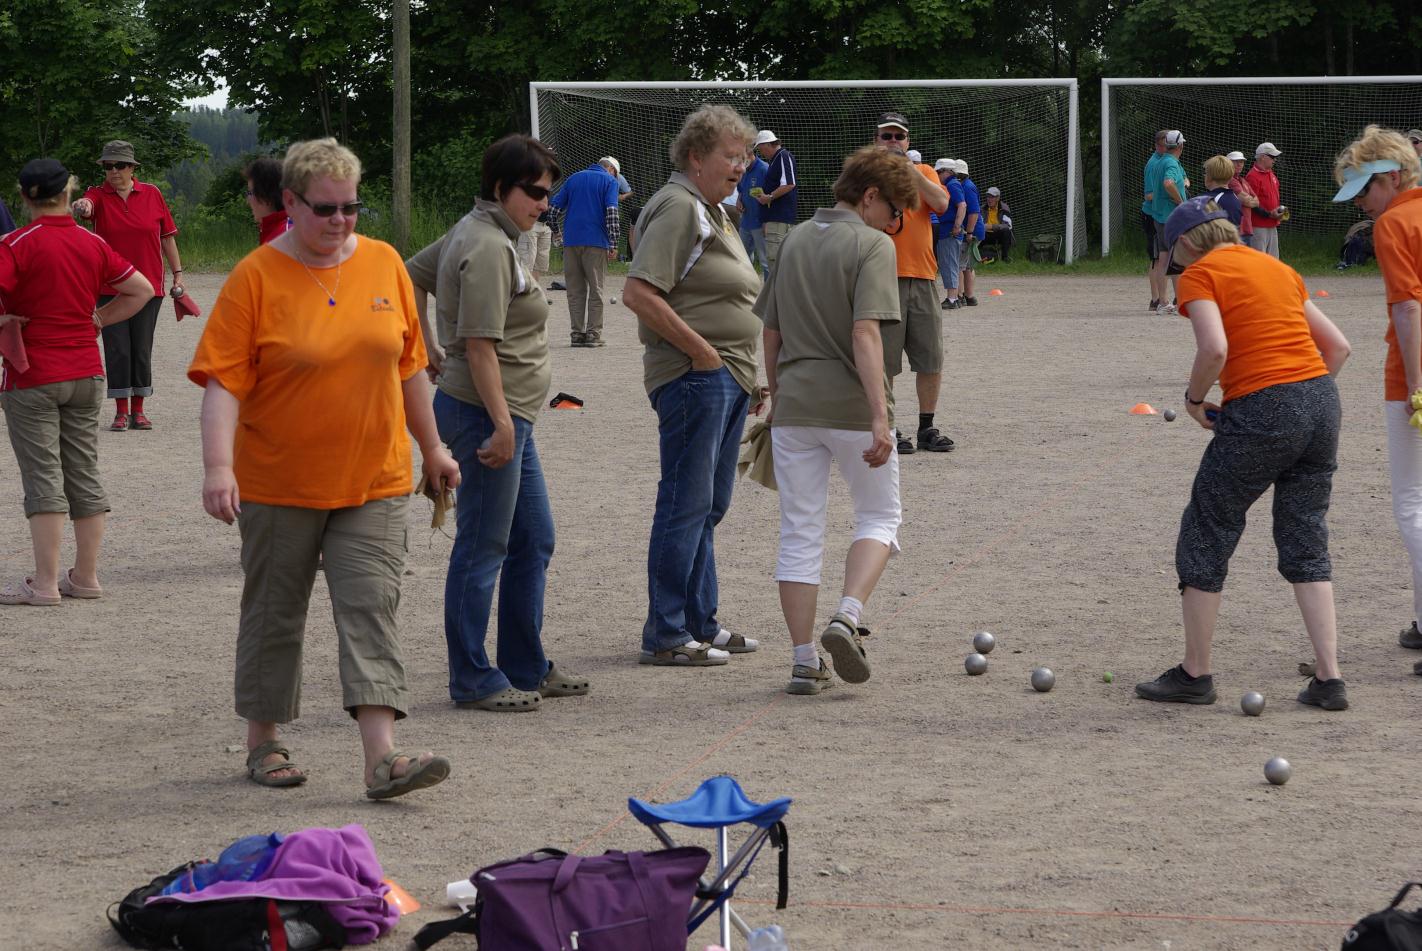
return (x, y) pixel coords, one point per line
(1262, 305)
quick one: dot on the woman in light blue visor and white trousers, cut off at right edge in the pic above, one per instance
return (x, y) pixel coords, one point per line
(1380, 173)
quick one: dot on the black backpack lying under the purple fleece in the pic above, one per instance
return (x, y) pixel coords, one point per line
(248, 925)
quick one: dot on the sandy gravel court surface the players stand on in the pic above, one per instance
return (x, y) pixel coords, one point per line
(932, 810)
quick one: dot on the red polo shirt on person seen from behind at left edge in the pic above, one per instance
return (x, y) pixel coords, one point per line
(52, 272)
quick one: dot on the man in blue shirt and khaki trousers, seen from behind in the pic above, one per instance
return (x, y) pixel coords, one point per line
(585, 213)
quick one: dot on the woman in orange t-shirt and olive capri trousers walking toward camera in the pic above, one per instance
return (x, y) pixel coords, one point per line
(312, 360)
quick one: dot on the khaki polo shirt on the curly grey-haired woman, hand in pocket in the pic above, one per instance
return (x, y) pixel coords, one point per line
(692, 251)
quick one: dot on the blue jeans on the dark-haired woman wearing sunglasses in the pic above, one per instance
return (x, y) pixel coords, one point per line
(504, 535)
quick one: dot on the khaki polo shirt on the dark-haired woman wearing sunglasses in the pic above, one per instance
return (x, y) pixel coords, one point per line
(483, 291)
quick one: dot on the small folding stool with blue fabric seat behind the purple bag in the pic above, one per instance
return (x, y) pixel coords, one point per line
(717, 804)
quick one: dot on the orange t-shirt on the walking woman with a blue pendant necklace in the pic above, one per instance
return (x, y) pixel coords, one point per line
(322, 419)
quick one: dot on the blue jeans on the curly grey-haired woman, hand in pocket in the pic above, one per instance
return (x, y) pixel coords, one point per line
(700, 417)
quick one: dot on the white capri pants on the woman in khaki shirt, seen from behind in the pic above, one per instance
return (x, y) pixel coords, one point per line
(803, 457)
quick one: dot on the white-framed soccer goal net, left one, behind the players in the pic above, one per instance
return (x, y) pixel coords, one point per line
(1019, 136)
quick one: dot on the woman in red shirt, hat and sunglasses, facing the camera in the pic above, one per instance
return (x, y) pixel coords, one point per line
(133, 218)
